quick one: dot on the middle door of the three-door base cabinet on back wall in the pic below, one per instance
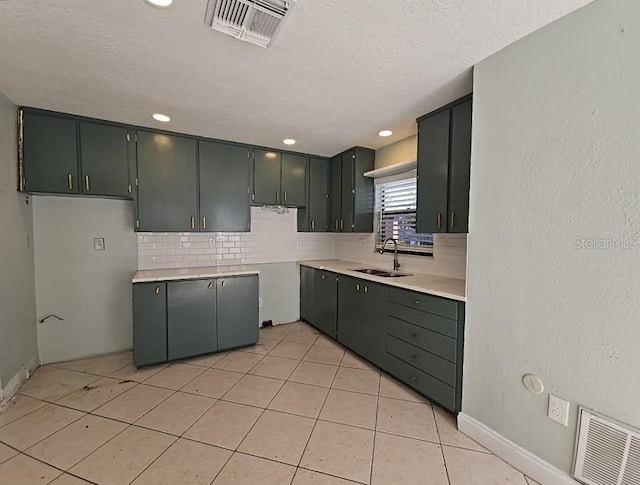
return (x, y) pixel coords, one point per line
(191, 318)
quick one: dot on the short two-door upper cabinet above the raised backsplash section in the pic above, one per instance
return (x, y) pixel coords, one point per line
(279, 178)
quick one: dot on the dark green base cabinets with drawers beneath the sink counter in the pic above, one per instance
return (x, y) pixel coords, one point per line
(415, 337)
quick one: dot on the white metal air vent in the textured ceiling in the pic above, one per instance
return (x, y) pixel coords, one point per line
(255, 21)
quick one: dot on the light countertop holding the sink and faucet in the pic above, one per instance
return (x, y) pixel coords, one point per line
(451, 288)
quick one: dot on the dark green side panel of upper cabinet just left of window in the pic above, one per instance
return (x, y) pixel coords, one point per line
(364, 197)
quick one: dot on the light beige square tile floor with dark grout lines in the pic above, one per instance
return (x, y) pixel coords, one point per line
(296, 409)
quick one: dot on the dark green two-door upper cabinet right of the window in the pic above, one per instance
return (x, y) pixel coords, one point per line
(444, 159)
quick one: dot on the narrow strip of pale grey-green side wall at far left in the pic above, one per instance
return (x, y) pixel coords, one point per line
(18, 341)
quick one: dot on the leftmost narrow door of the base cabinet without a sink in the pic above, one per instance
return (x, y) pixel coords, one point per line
(149, 323)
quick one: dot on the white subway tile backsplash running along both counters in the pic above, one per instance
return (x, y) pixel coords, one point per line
(274, 239)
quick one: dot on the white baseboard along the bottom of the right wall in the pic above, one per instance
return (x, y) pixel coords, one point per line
(525, 461)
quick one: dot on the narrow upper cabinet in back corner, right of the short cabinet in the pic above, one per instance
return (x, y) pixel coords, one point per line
(314, 217)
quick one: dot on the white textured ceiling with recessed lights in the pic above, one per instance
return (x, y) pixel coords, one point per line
(338, 72)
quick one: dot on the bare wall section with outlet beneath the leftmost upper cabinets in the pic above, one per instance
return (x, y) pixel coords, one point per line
(90, 289)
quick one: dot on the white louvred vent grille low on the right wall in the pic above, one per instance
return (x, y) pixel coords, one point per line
(608, 453)
